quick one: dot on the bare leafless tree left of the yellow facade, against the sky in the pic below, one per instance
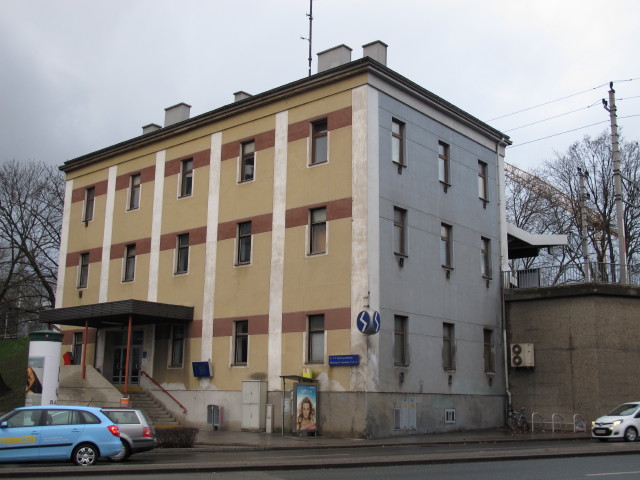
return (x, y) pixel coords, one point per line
(31, 206)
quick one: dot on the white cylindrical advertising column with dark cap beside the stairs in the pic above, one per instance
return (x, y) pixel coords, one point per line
(43, 370)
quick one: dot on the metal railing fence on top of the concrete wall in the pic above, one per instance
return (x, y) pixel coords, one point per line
(570, 275)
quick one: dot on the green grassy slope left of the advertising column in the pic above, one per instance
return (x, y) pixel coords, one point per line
(14, 355)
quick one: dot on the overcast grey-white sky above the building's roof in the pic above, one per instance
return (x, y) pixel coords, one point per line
(80, 75)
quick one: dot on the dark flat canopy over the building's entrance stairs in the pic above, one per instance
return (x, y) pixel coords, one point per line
(110, 314)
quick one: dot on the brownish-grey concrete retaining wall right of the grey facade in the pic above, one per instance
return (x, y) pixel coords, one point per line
(587, 347)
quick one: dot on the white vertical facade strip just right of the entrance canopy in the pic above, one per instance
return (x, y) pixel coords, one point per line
(213, 204)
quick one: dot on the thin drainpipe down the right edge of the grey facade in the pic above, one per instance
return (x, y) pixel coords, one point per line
(504, 262)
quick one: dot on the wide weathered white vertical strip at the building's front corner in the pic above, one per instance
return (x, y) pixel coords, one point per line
(364, 190)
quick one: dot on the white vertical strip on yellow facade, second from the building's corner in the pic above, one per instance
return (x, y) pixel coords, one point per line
(277, 250)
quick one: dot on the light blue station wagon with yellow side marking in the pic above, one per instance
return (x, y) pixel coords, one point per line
(58, 432)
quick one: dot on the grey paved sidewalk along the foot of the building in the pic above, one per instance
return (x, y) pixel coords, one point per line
(226, 440)
